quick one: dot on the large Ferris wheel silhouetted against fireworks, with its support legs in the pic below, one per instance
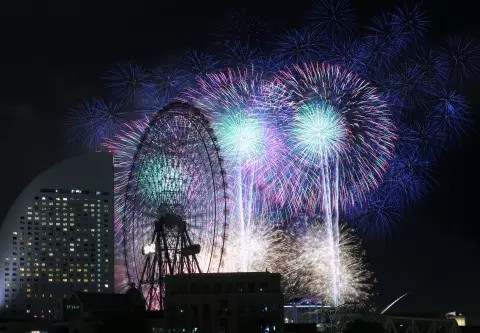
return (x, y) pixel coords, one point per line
(174, 219)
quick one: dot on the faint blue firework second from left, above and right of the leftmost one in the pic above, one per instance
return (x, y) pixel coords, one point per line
(125, 80)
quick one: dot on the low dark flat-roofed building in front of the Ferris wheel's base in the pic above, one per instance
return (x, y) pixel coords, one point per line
(224, 302)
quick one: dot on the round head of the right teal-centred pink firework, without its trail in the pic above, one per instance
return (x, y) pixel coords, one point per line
(333, 115)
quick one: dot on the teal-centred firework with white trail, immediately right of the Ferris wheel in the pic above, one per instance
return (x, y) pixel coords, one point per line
(251, 146)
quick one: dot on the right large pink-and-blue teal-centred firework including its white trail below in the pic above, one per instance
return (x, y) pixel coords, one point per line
(342, 136)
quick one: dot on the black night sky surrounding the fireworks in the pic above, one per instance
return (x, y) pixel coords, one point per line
(52, 56)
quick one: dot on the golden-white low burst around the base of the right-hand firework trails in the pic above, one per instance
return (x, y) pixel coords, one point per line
(308, 267)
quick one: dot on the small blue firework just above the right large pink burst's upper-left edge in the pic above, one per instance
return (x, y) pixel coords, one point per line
(300, 45)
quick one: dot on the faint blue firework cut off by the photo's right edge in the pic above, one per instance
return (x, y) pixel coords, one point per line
(462, 55)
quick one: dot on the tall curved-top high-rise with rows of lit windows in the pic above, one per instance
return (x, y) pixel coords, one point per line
(58, 238)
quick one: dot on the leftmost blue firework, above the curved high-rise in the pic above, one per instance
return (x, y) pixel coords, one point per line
(92, 121)
